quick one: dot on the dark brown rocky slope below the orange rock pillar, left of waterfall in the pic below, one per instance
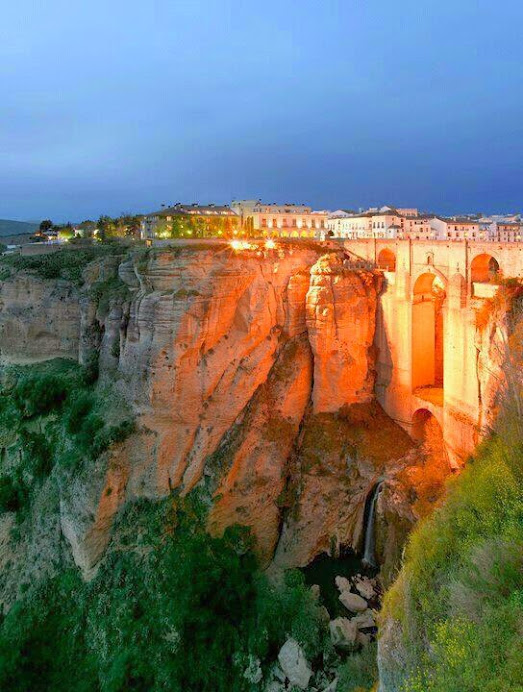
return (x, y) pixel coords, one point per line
(338, 459)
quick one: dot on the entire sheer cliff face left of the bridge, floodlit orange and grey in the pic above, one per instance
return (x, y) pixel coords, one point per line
(251, 373)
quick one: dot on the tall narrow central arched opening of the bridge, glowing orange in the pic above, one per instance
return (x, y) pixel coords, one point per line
(427, 335)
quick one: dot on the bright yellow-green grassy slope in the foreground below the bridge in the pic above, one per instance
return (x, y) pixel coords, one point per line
(459, 597)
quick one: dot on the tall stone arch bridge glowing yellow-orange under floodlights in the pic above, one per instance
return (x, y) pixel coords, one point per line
(427, 339)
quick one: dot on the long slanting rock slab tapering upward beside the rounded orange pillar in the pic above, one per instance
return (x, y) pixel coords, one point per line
(248, 493)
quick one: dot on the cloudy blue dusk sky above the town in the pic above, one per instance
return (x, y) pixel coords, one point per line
(121, 105)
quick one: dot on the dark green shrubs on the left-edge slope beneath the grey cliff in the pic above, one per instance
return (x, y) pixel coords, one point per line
(52, 417)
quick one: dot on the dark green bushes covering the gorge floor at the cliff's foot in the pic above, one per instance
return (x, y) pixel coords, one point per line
(172, 608)
